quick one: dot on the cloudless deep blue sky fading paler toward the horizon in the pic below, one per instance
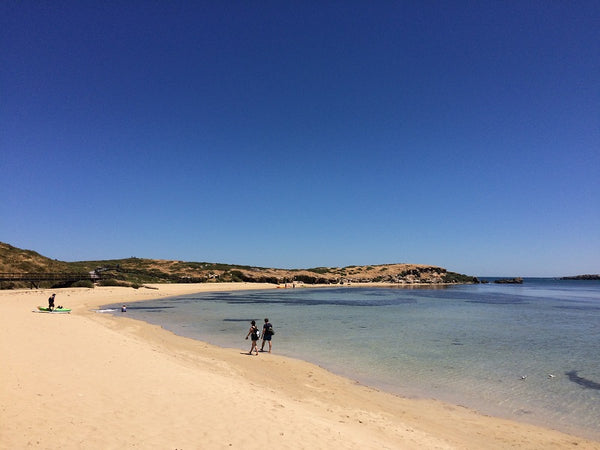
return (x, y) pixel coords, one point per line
(295, 134)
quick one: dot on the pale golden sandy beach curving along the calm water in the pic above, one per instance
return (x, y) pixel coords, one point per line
(90, 380)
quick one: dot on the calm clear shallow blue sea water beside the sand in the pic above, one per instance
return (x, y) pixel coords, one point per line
(527, 352)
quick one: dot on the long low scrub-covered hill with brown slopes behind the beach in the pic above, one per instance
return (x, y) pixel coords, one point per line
(136, 271)
